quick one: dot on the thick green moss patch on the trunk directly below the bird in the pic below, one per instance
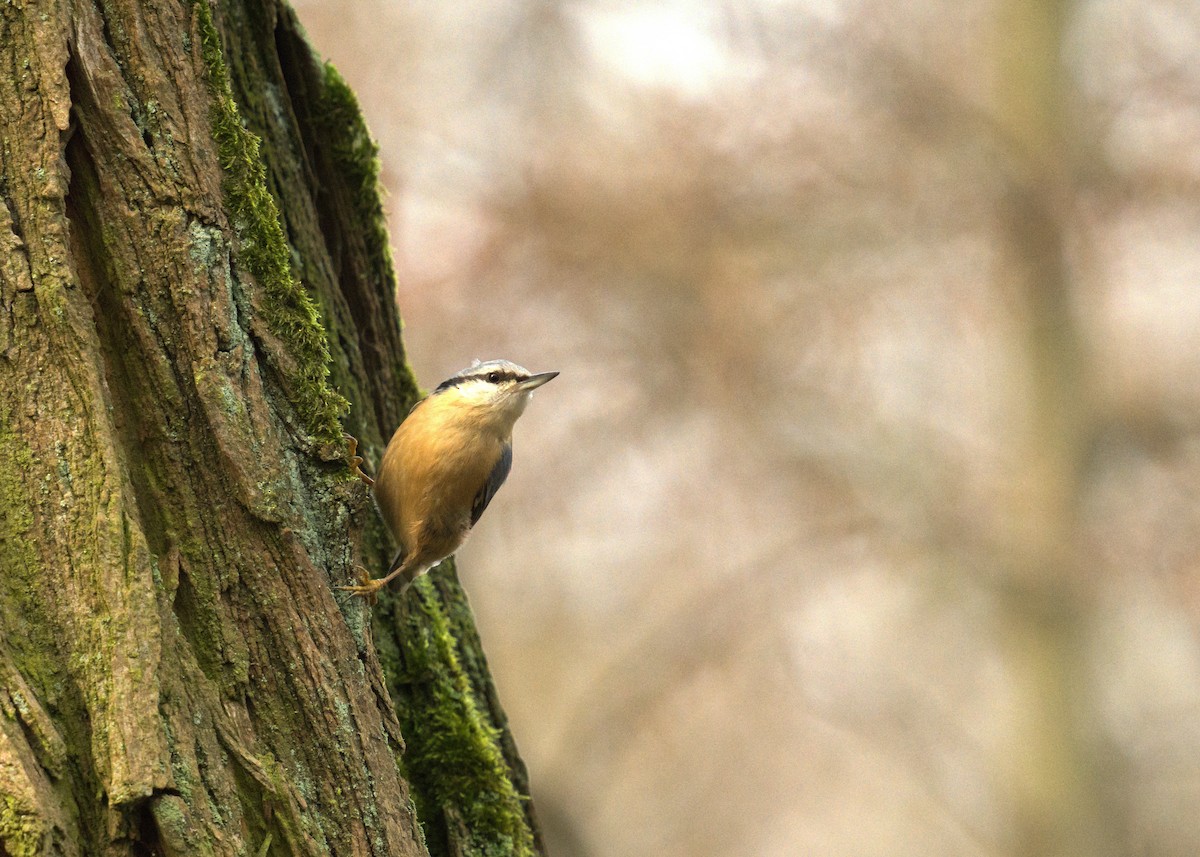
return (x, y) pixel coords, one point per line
(454, 757)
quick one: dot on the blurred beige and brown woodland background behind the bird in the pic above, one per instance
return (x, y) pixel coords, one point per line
(865, 518)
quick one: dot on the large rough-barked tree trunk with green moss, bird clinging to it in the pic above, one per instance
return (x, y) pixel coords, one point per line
(196, 293)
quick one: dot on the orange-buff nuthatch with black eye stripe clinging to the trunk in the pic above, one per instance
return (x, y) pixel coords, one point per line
(445, 465)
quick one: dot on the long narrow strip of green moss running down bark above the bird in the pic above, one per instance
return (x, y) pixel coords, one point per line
(290, 310)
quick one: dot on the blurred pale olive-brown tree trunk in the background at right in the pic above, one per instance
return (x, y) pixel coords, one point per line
(1055, 781)
